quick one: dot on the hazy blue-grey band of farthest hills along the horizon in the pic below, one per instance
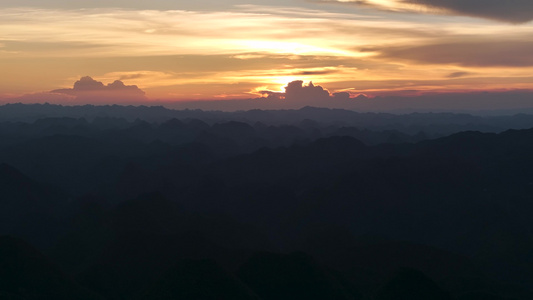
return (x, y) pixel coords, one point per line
(412, 123)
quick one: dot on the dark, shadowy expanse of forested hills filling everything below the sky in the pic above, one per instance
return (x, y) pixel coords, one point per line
(190, 208)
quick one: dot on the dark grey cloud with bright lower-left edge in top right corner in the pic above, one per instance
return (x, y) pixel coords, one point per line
(511, 11)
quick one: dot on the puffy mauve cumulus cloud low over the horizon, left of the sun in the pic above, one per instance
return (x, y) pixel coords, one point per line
(89, 90)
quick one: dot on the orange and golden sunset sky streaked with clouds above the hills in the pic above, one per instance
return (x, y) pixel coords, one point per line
(156, 51)
